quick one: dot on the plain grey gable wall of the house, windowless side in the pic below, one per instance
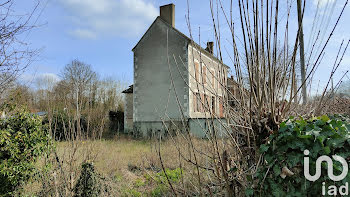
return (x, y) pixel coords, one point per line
(154, 96)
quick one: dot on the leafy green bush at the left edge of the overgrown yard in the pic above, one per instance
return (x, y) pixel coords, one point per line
(23, 139)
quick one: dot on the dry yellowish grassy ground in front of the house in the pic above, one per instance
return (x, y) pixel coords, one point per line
(128, 167)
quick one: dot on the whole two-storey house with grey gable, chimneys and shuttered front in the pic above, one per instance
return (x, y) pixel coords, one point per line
(177, 83)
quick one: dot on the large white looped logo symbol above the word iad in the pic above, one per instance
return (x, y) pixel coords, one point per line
(330, 167)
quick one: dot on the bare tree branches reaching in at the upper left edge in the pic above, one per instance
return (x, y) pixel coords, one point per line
(15, 55)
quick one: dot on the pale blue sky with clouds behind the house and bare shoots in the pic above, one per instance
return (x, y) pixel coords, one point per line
(103, 32)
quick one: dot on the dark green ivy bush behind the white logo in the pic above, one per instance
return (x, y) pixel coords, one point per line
(321, 136)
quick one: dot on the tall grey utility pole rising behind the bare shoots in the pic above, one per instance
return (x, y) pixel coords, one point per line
(302, 60)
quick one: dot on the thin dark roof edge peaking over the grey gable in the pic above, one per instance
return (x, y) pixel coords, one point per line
(184, 36)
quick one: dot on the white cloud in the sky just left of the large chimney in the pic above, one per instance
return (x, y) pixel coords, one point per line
(122, 18)
